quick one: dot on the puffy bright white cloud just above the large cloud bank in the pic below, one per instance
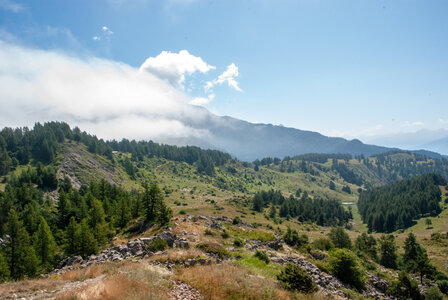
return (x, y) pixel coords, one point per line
(172, 67)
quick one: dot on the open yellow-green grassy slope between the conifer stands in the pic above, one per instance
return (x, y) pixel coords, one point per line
(229, 193)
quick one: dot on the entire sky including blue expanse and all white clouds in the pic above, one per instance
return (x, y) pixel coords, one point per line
(350, 68)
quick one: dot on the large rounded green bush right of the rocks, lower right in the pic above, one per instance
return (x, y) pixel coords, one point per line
(345, 265)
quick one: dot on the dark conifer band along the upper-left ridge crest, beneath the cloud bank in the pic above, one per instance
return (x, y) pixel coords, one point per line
(20, 146)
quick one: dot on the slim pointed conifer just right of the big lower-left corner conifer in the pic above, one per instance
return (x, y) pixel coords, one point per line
(44, 245)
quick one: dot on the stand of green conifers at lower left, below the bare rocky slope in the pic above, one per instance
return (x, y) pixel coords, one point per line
(37, 232)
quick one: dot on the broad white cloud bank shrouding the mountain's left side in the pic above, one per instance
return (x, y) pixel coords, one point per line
(107, 98)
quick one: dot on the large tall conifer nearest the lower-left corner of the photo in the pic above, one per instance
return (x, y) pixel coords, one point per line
(21, 257)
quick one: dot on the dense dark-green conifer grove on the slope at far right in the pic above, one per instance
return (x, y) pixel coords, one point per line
(396, 206)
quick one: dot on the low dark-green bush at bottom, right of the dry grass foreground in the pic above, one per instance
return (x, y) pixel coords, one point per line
(294, 277)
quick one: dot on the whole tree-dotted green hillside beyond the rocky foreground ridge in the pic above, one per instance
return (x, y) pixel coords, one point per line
(68, 185)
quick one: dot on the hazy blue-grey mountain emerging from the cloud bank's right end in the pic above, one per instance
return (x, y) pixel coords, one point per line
(248, 141)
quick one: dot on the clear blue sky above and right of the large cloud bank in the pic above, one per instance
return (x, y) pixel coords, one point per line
(343, 68)
